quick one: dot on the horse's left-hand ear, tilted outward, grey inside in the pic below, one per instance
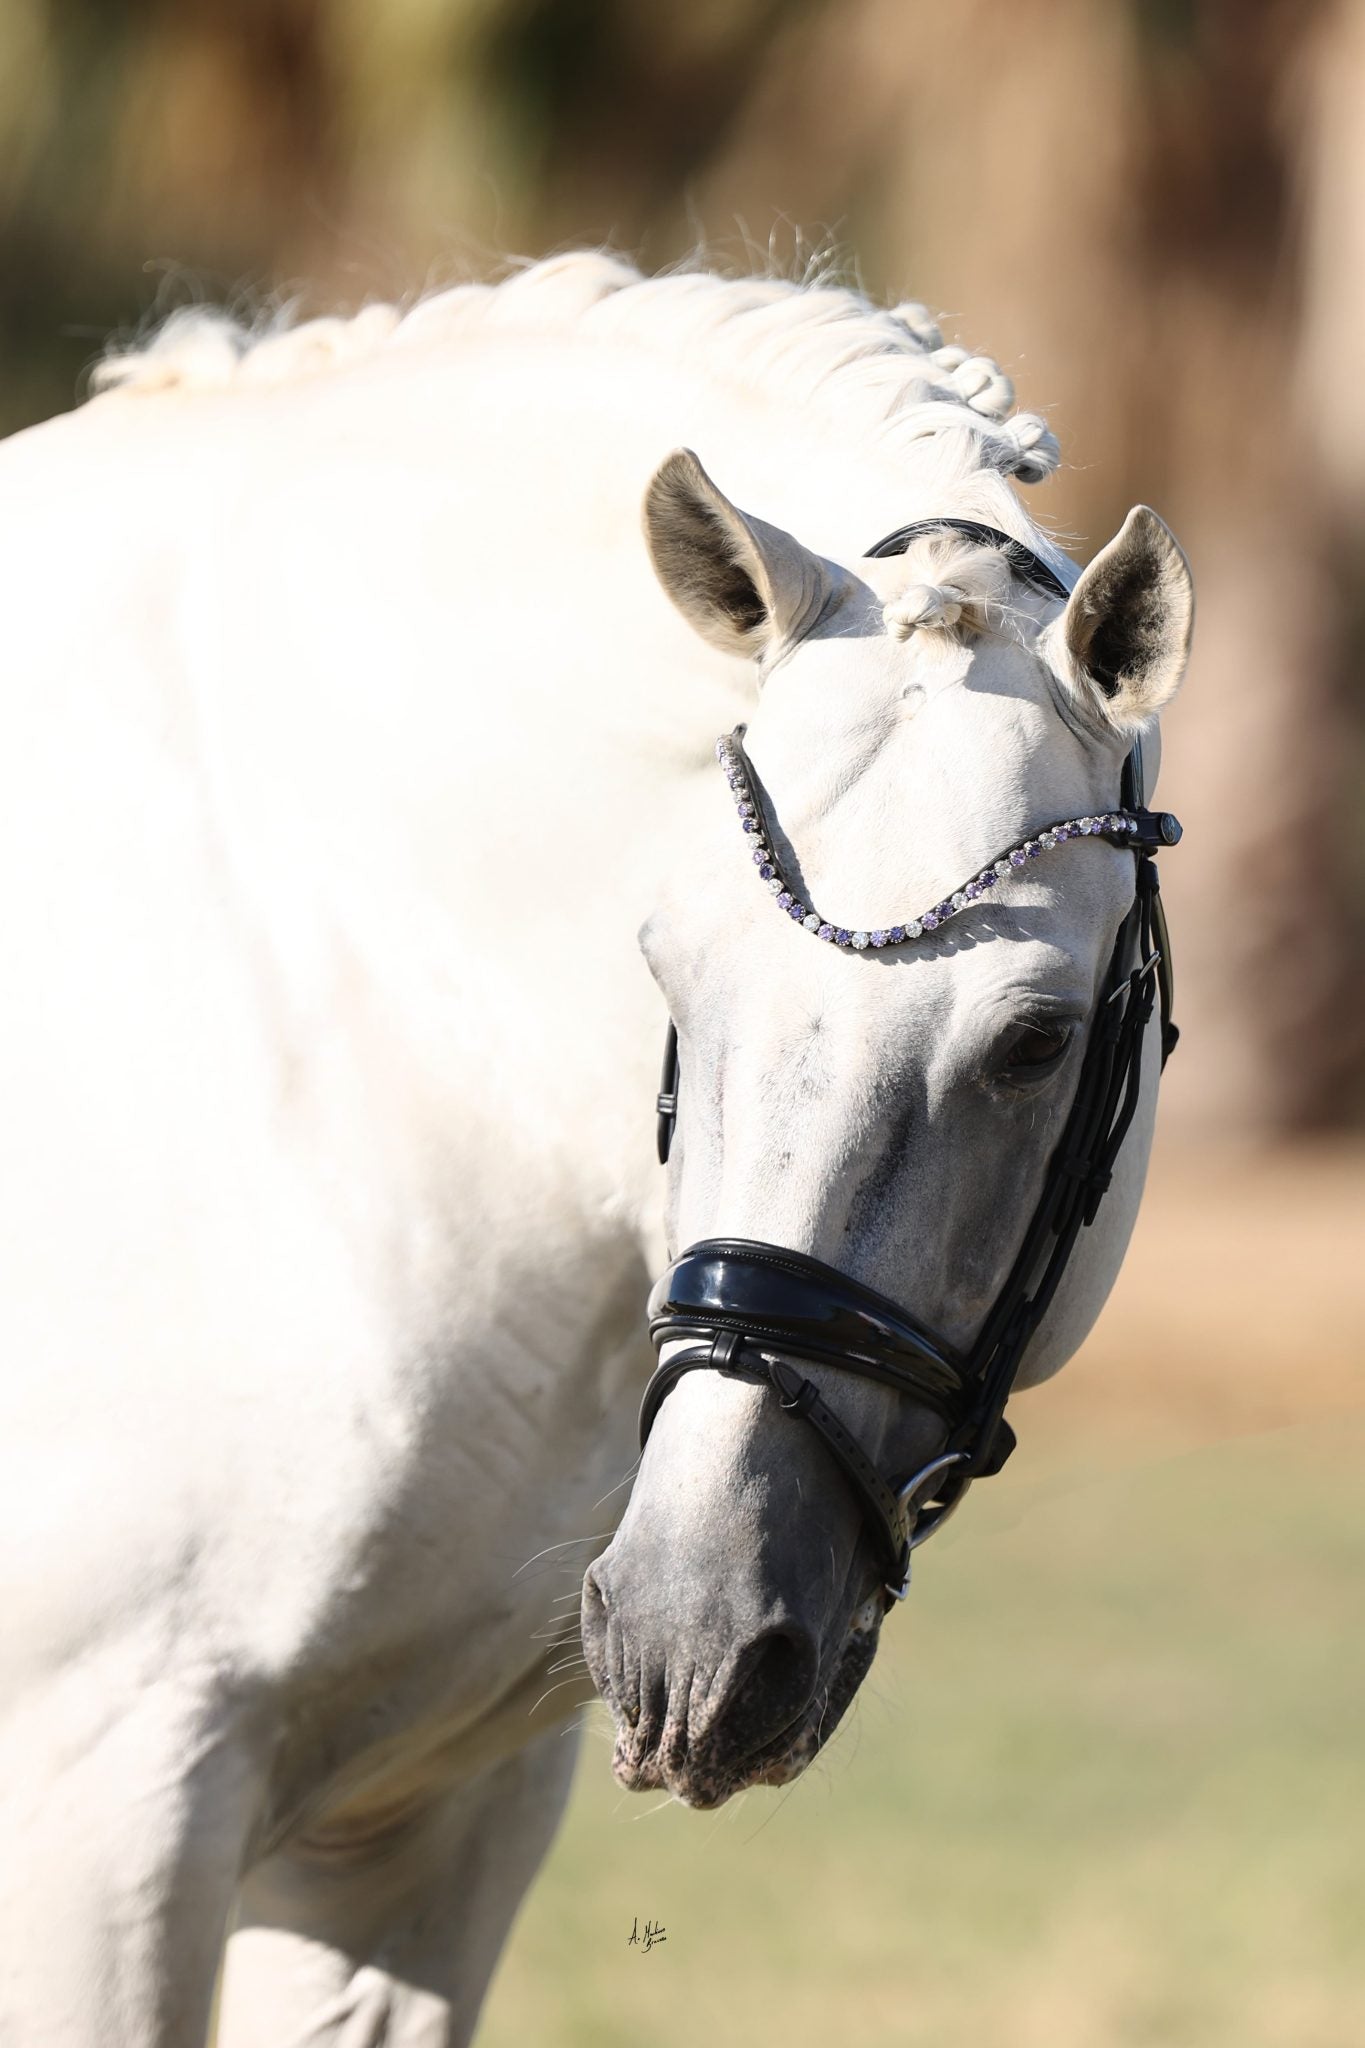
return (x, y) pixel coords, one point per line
(742, 585)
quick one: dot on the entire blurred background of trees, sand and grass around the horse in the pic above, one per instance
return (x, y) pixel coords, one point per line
(1106, 1783)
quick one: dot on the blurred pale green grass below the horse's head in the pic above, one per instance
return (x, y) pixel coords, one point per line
(1104, 1789)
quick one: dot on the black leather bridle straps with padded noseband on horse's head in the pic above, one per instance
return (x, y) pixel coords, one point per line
(752, 1310)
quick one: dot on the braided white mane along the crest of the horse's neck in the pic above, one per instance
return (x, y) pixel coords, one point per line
(887, 368)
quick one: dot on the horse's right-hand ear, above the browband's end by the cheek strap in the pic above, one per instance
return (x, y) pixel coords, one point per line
(1129, 622)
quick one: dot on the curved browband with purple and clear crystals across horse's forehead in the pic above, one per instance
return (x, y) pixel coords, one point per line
(1120, 828)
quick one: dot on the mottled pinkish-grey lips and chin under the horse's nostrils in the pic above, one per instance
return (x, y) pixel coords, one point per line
(703, 1777)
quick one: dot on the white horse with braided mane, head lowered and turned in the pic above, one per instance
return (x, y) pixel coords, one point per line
(351, 742)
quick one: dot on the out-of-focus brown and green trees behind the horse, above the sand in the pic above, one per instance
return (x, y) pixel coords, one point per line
(1151, 210)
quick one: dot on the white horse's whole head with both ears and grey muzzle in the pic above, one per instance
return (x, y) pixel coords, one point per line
(875, 1119)
